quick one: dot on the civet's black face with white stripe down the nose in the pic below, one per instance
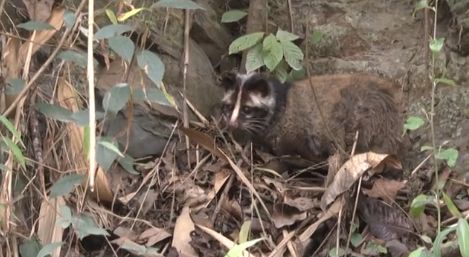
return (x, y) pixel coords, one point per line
(248, 103)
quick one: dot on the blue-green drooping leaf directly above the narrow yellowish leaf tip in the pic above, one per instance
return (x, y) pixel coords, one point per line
(152, 65)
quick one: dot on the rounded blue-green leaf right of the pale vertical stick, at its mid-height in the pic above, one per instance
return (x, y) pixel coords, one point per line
(116, 98)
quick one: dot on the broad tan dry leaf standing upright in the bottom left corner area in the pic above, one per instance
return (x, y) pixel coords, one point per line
(49, 231)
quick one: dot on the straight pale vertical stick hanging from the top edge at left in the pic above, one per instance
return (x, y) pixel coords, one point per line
(91, 100)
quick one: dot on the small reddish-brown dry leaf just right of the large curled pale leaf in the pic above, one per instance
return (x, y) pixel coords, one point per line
(385, 188)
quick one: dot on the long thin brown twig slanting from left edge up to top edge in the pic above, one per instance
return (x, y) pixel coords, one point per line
(43, 67)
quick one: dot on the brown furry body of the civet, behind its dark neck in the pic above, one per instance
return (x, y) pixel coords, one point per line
(349, 102)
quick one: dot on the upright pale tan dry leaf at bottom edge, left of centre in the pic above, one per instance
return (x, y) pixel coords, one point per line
(182, 234)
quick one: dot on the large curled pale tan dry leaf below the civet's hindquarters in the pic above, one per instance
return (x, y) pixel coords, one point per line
(349, 173)
